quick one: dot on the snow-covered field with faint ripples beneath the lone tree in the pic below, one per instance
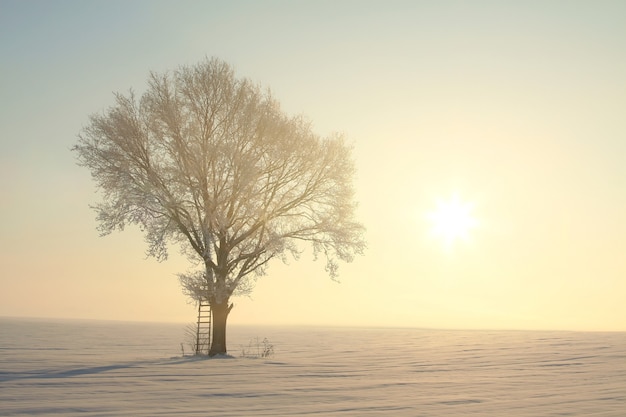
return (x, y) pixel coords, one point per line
(90, 368)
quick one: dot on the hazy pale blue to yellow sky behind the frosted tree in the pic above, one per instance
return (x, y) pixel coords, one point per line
(513, 109)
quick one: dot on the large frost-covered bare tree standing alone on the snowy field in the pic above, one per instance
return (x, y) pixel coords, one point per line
(209, 161)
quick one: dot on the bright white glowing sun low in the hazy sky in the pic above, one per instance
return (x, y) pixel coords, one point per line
(452, 221)
